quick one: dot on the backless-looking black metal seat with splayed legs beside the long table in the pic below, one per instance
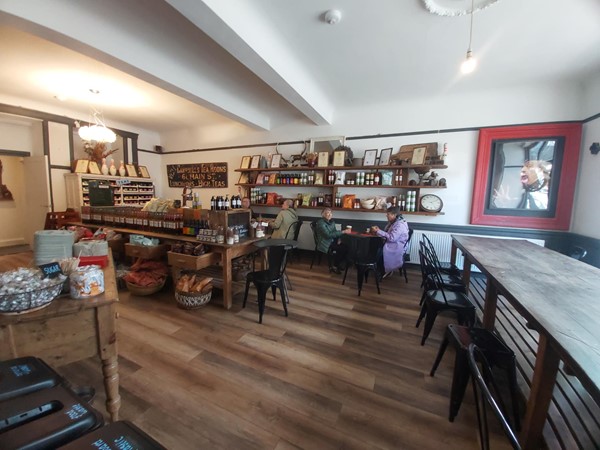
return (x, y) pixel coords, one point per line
(497, 353)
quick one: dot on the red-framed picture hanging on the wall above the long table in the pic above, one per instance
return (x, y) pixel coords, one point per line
(525, 176)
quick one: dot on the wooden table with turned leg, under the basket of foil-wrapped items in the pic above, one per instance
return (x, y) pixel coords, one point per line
(70, 330)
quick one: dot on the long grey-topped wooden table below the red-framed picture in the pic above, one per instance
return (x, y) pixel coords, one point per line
(559, 297)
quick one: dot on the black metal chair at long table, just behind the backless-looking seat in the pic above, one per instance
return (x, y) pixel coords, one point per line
(440, 299)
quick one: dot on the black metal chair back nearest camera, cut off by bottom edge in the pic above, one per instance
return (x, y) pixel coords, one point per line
(485, 391)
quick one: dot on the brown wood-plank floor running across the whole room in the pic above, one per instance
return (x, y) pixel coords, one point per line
(341, 371)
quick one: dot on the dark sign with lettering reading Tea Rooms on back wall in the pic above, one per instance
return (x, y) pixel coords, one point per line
(210, 175)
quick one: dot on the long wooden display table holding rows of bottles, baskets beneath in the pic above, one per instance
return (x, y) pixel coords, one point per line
(226, 253)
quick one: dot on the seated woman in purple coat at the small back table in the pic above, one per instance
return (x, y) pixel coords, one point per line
(395, 235)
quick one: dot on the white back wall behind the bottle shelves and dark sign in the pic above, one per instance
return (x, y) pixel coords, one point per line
(523, 104)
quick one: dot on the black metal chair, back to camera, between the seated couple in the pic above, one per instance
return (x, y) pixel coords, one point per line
(363, 253)
